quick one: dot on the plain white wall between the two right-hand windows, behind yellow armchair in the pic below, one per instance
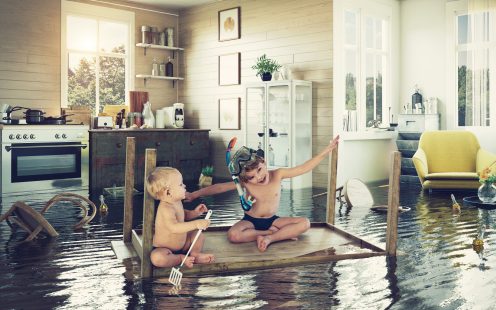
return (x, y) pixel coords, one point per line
(425, 48)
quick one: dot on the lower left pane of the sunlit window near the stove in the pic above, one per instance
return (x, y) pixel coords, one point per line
(81, 80)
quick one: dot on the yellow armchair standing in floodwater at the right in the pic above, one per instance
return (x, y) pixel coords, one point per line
(450, 159)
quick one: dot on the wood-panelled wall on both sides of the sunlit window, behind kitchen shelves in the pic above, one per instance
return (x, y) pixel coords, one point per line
(30, 54)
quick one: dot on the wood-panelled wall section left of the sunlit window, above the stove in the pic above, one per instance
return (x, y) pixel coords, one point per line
(30, 54)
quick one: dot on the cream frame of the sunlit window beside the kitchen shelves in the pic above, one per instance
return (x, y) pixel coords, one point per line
(101, 14)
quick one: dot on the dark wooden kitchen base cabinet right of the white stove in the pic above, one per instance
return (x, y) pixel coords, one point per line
(185, 149)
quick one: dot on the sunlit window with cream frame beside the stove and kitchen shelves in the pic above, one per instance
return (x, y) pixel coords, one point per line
(96, 55)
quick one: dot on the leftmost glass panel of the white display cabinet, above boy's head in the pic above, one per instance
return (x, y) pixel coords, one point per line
(255, 117)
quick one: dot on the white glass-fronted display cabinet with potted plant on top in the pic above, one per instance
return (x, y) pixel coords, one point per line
(279, 120)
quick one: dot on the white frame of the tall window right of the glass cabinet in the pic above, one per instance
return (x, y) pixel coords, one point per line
(364, 8)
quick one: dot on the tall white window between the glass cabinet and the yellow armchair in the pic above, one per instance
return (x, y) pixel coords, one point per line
(362, 64)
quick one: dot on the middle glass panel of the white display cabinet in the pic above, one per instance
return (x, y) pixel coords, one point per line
(279, 125)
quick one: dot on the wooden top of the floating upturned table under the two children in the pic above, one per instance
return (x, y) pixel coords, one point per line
(321, 243)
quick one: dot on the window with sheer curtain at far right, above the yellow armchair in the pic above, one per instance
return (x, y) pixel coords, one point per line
(475, 58)
